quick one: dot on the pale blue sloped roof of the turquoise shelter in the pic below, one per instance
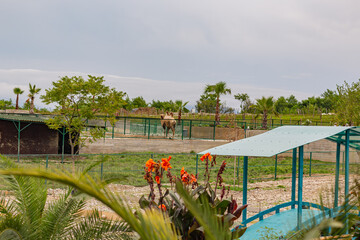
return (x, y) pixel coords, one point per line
(280, 140)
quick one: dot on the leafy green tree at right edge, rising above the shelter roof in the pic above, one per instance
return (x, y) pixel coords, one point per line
(348, 108)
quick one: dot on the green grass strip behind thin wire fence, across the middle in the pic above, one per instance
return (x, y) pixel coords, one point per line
(129, 167)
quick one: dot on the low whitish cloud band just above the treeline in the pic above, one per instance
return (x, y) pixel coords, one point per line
(150, 89)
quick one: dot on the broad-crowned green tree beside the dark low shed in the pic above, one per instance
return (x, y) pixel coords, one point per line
(77, 101)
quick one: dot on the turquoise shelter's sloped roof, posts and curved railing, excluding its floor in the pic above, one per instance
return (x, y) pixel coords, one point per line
(293, 138)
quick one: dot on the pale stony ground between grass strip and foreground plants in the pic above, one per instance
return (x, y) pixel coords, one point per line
(261, 195)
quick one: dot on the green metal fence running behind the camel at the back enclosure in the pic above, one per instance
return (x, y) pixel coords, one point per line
(188, 129)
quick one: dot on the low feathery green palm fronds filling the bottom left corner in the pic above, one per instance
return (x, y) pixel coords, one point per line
(28, 215)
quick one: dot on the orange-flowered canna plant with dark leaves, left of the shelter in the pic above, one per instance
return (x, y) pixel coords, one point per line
(183, 205)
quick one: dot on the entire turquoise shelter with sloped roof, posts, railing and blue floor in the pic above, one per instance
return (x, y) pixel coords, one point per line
(280, 140)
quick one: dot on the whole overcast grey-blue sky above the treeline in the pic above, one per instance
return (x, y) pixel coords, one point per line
(168, 50)
